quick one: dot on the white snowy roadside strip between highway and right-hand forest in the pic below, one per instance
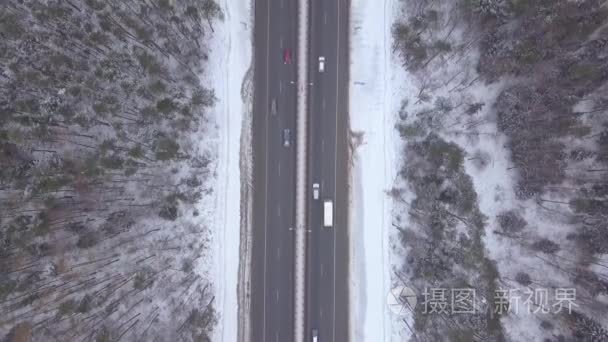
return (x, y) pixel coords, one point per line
(376, 89)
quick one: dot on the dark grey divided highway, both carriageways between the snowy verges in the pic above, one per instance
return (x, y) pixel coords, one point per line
(272, 277)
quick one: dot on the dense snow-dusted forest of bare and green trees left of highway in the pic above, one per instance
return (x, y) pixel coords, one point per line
(108, 157)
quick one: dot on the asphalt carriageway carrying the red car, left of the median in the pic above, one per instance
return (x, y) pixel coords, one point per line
(274, 172)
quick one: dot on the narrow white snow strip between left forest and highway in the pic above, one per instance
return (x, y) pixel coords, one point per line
(229, 61)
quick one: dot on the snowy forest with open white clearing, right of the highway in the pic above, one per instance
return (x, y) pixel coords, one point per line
(503, 183)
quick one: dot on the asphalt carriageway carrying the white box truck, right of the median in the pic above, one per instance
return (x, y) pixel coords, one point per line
(327, 264)
